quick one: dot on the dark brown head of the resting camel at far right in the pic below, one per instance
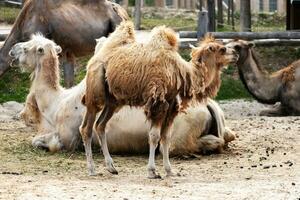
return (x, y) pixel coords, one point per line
(242, 47)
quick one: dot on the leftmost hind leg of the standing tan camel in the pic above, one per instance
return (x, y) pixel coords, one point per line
(86, 130)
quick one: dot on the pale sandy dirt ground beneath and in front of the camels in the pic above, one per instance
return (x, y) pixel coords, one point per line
(262, 163)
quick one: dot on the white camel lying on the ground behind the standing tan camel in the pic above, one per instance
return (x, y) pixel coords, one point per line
(58, 112)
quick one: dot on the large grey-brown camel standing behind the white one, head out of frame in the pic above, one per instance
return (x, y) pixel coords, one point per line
(73, 24)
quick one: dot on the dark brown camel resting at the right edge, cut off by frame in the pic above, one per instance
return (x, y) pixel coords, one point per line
(282, 86)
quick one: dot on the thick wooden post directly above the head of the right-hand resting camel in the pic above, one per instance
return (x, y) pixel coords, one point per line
(245, 17)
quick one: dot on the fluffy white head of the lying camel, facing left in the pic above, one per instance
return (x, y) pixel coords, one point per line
(29, 55)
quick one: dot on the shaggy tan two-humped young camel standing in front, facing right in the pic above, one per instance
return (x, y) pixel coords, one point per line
(152, 76)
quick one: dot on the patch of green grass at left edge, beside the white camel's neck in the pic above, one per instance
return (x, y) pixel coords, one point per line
(14, 86)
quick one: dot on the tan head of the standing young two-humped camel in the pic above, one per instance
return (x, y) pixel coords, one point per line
(210, 56)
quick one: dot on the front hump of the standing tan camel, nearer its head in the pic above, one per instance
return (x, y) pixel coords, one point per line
(166, 37)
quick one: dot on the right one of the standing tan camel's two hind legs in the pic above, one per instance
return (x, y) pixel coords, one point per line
(100, 125)
